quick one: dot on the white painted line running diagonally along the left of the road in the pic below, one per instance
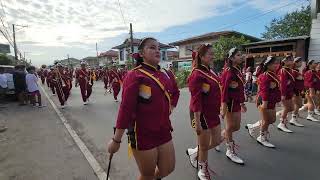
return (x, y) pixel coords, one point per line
(101, 174)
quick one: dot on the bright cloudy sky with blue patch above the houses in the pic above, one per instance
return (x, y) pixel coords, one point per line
(57, 28)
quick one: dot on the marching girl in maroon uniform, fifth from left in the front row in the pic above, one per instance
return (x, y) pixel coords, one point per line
(287, 82)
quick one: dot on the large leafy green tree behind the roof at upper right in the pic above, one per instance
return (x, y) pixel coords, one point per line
(296, 23)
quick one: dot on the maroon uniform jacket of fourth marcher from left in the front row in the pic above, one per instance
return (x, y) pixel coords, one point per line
(269, 89)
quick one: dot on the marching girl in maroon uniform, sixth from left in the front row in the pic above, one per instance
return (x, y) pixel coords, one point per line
(298, 91)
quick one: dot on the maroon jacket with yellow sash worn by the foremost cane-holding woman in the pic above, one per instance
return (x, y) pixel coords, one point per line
(145, 107)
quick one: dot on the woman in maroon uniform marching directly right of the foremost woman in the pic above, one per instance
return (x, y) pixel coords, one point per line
(205, 88)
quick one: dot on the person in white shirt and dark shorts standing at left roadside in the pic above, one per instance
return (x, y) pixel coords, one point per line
(32, 86)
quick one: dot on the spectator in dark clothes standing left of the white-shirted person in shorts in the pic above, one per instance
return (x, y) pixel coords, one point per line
(19, 78)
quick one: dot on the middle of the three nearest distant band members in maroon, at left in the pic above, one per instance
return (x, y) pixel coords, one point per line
(85, 80)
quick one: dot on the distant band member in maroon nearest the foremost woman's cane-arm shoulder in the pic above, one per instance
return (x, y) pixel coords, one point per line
(115, 81)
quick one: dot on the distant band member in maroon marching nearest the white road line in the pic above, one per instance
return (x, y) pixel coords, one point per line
(60, 80)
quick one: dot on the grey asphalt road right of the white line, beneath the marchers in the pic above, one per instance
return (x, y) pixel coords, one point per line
(296, 156)
